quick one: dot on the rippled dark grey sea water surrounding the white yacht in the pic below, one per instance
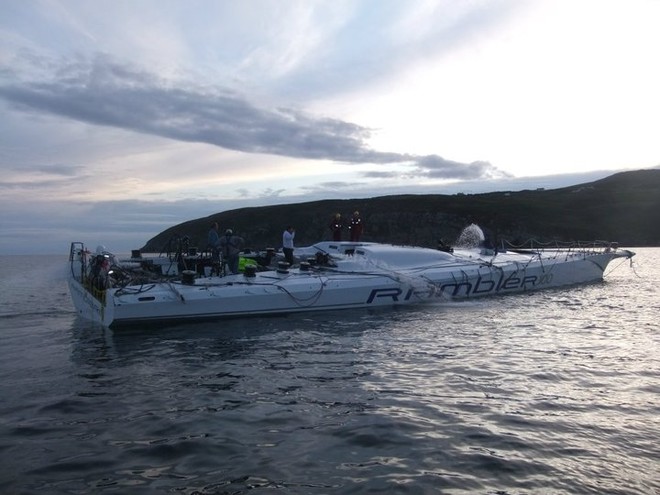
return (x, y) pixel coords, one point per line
(554, 393)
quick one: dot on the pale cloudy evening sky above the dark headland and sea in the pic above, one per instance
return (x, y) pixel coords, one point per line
(121, 118)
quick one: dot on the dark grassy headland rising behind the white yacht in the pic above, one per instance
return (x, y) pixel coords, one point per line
(624, 207)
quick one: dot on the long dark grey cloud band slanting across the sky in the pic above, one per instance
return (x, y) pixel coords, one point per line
(110, 94)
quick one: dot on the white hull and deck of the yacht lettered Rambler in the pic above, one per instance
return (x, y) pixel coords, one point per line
(373, 275)
